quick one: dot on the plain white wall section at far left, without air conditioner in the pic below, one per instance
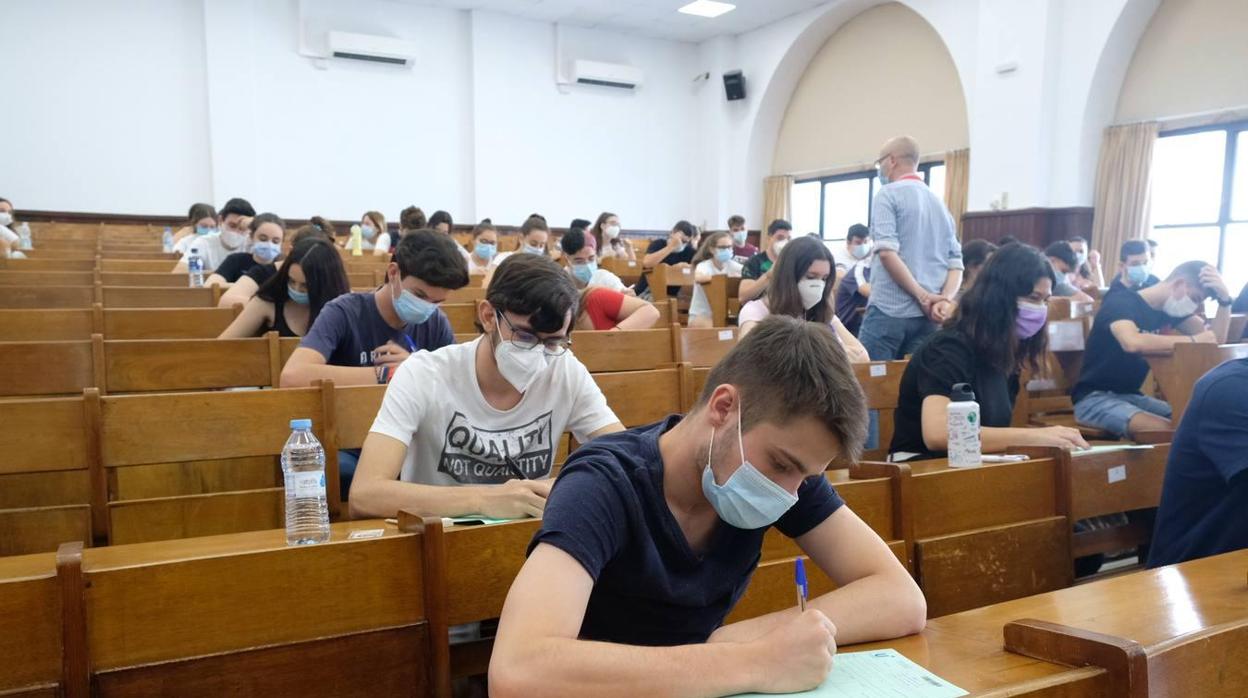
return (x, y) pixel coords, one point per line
(105, 106)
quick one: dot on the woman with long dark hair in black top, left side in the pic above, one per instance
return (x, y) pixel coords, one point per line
(311, 277)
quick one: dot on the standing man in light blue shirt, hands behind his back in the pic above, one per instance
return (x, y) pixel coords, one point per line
(918, 264)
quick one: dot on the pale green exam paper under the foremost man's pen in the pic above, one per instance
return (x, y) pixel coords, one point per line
(882, 674)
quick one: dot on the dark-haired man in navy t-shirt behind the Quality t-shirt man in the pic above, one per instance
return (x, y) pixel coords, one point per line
(361, 339)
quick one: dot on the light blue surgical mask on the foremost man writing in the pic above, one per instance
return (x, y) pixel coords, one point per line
(748, 500)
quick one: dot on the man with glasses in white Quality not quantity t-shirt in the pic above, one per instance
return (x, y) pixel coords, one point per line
(474, 429)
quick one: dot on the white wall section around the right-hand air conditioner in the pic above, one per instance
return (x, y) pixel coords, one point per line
(581, 152)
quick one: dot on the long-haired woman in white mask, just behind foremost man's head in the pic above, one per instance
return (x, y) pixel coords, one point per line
(801, 288)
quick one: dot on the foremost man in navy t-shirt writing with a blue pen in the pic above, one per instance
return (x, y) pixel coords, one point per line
(650, 539)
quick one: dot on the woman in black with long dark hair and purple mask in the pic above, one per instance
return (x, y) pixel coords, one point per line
(998, 329)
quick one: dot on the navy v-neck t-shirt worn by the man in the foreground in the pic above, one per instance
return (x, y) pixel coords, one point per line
(607, 510)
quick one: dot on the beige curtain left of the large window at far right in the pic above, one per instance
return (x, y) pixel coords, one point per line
(1124, 189)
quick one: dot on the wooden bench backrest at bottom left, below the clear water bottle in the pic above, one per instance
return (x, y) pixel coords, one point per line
(162, 616)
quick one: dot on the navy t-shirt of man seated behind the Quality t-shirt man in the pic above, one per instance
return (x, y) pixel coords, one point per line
(350, 328)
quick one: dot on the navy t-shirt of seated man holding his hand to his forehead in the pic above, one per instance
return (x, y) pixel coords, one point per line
(1106, 365)
